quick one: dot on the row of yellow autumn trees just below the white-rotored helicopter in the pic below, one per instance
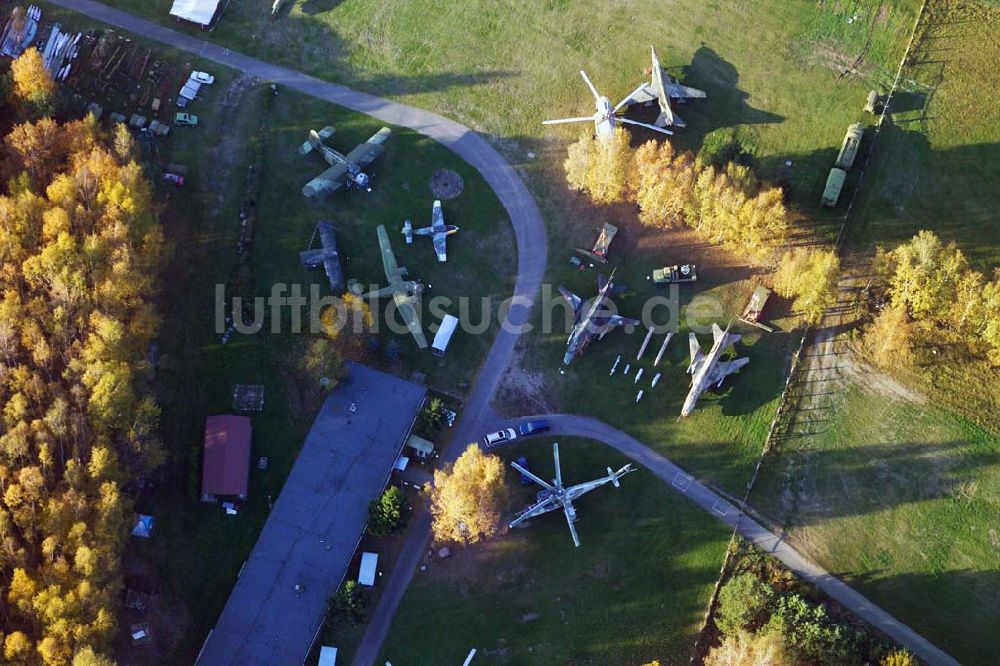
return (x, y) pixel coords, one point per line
(727, 204)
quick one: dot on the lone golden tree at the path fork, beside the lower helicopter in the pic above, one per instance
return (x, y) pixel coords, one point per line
(468, 497)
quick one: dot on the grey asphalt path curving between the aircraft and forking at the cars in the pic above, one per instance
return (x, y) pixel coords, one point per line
(532, 253)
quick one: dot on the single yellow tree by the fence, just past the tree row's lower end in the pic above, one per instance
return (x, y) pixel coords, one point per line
(810, 277)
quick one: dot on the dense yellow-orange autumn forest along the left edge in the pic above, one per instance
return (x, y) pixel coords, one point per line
(80, 250)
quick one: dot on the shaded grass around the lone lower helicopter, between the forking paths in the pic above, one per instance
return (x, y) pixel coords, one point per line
(648, 559)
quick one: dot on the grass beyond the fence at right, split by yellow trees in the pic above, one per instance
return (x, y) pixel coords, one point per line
(902, 496)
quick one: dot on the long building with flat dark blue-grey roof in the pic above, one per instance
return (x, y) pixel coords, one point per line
(277, 606)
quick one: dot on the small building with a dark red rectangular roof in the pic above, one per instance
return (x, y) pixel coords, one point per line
(226, 467)
